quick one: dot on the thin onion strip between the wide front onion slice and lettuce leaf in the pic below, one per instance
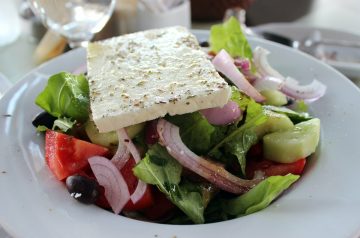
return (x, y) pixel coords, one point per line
(141, 186)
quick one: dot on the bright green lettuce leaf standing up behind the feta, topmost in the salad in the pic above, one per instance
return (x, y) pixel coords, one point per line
(230, 37)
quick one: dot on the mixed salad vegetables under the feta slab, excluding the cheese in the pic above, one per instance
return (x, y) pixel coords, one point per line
(207, 166)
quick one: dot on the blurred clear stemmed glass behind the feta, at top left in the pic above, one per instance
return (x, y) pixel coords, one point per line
(77, 20)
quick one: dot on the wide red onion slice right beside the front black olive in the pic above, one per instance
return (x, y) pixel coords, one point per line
(108, 176)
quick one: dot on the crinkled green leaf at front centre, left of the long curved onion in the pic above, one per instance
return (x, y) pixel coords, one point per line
(160, 169)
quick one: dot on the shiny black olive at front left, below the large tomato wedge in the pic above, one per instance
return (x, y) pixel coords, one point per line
(85, 190)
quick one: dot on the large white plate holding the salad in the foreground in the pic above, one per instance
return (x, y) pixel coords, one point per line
(324, 203)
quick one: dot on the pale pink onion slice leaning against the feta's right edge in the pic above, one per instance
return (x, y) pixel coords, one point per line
(224, 63)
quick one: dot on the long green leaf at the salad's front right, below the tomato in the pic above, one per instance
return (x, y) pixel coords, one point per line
(260, 196)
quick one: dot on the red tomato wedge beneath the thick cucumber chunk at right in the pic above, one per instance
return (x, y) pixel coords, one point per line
(270, 168)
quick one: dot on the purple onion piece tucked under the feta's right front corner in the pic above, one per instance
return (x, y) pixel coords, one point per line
(223, 115)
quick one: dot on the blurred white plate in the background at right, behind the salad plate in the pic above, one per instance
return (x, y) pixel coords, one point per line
(299, 32)
